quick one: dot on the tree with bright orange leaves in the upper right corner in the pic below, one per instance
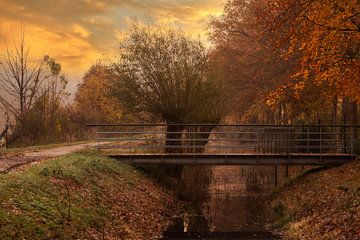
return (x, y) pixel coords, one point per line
(326, 35)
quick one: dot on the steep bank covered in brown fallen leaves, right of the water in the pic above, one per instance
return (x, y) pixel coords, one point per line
(322, 204)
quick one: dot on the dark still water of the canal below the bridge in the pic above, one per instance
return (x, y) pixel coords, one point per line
(236, 207)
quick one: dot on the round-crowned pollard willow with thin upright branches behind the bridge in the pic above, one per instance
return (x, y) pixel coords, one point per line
(164, 72)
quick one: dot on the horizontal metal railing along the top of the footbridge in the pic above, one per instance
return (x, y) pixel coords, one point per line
(228, 138)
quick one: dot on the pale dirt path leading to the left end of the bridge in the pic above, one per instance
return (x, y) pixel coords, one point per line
(9, 163)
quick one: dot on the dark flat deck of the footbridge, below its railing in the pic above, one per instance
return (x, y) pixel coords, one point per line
(236, 159)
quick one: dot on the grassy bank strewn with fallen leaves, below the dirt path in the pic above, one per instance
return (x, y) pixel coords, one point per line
(82, 196)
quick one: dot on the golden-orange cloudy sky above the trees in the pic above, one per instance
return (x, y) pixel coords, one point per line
(79, 32)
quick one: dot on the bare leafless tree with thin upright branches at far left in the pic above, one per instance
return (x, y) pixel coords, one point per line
(20, 79)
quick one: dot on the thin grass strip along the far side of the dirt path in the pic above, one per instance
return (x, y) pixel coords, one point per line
(18, 150)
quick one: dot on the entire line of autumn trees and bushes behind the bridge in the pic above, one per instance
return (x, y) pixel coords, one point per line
(282, 62)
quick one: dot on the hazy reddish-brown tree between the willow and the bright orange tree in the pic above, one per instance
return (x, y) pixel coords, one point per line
(252, 69)
